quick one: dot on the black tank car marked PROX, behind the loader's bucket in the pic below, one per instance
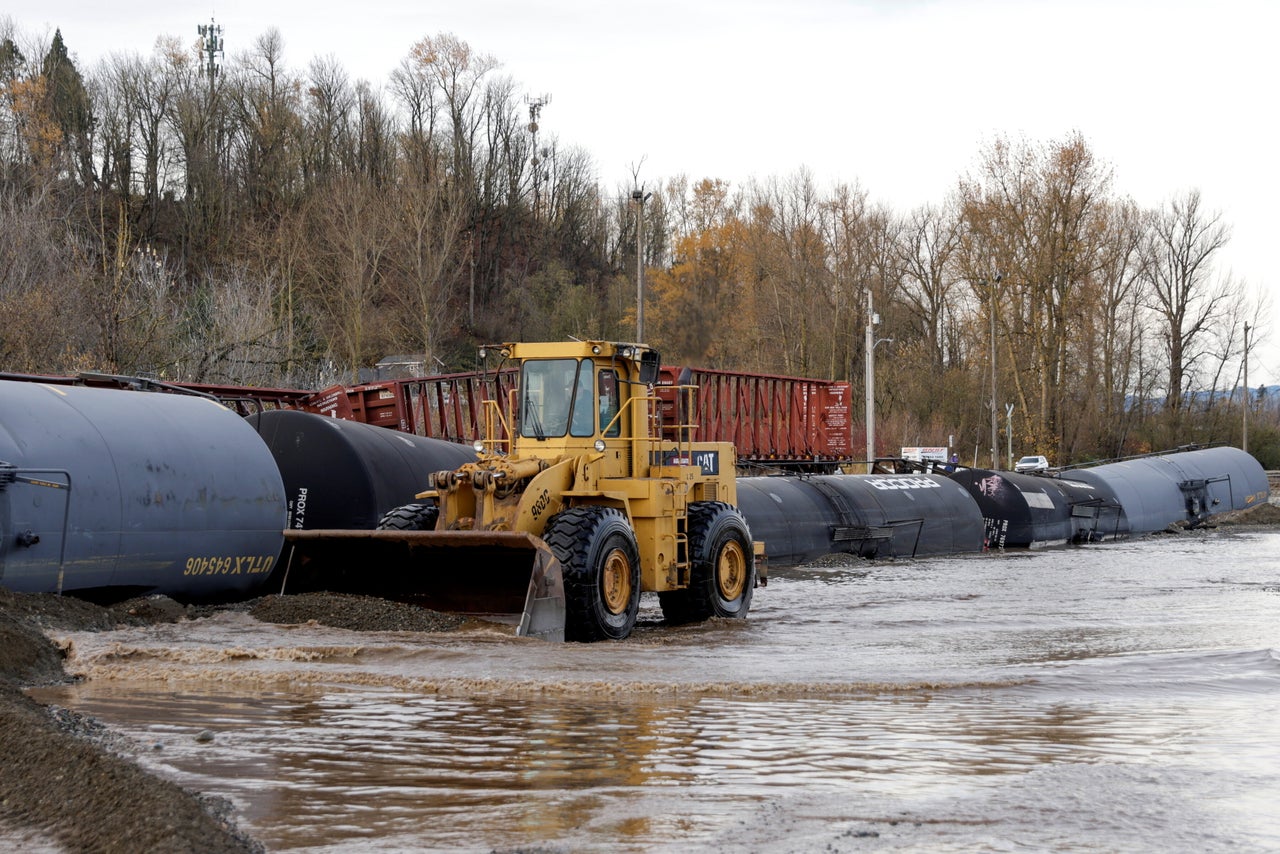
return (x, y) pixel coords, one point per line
(344, 474)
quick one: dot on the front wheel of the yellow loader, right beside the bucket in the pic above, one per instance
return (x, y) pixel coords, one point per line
(601, 565)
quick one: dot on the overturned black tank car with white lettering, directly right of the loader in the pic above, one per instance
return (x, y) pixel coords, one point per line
(802, 519)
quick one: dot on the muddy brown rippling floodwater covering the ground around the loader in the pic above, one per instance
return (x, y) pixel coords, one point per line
(1117, 697)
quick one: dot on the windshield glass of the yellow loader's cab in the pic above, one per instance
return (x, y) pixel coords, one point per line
(556, 399)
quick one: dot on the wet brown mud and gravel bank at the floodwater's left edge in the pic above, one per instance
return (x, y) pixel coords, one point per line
(70, 784)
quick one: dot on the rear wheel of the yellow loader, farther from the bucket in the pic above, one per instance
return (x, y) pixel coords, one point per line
(723, 572)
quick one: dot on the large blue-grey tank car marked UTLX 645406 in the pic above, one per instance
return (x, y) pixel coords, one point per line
(109, 495)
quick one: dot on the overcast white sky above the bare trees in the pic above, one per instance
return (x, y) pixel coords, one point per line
(898, 95)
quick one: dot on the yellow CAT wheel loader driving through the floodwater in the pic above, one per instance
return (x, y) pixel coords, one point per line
(575, 505)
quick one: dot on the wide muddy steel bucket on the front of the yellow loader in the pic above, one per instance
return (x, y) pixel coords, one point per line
(508, 577)
